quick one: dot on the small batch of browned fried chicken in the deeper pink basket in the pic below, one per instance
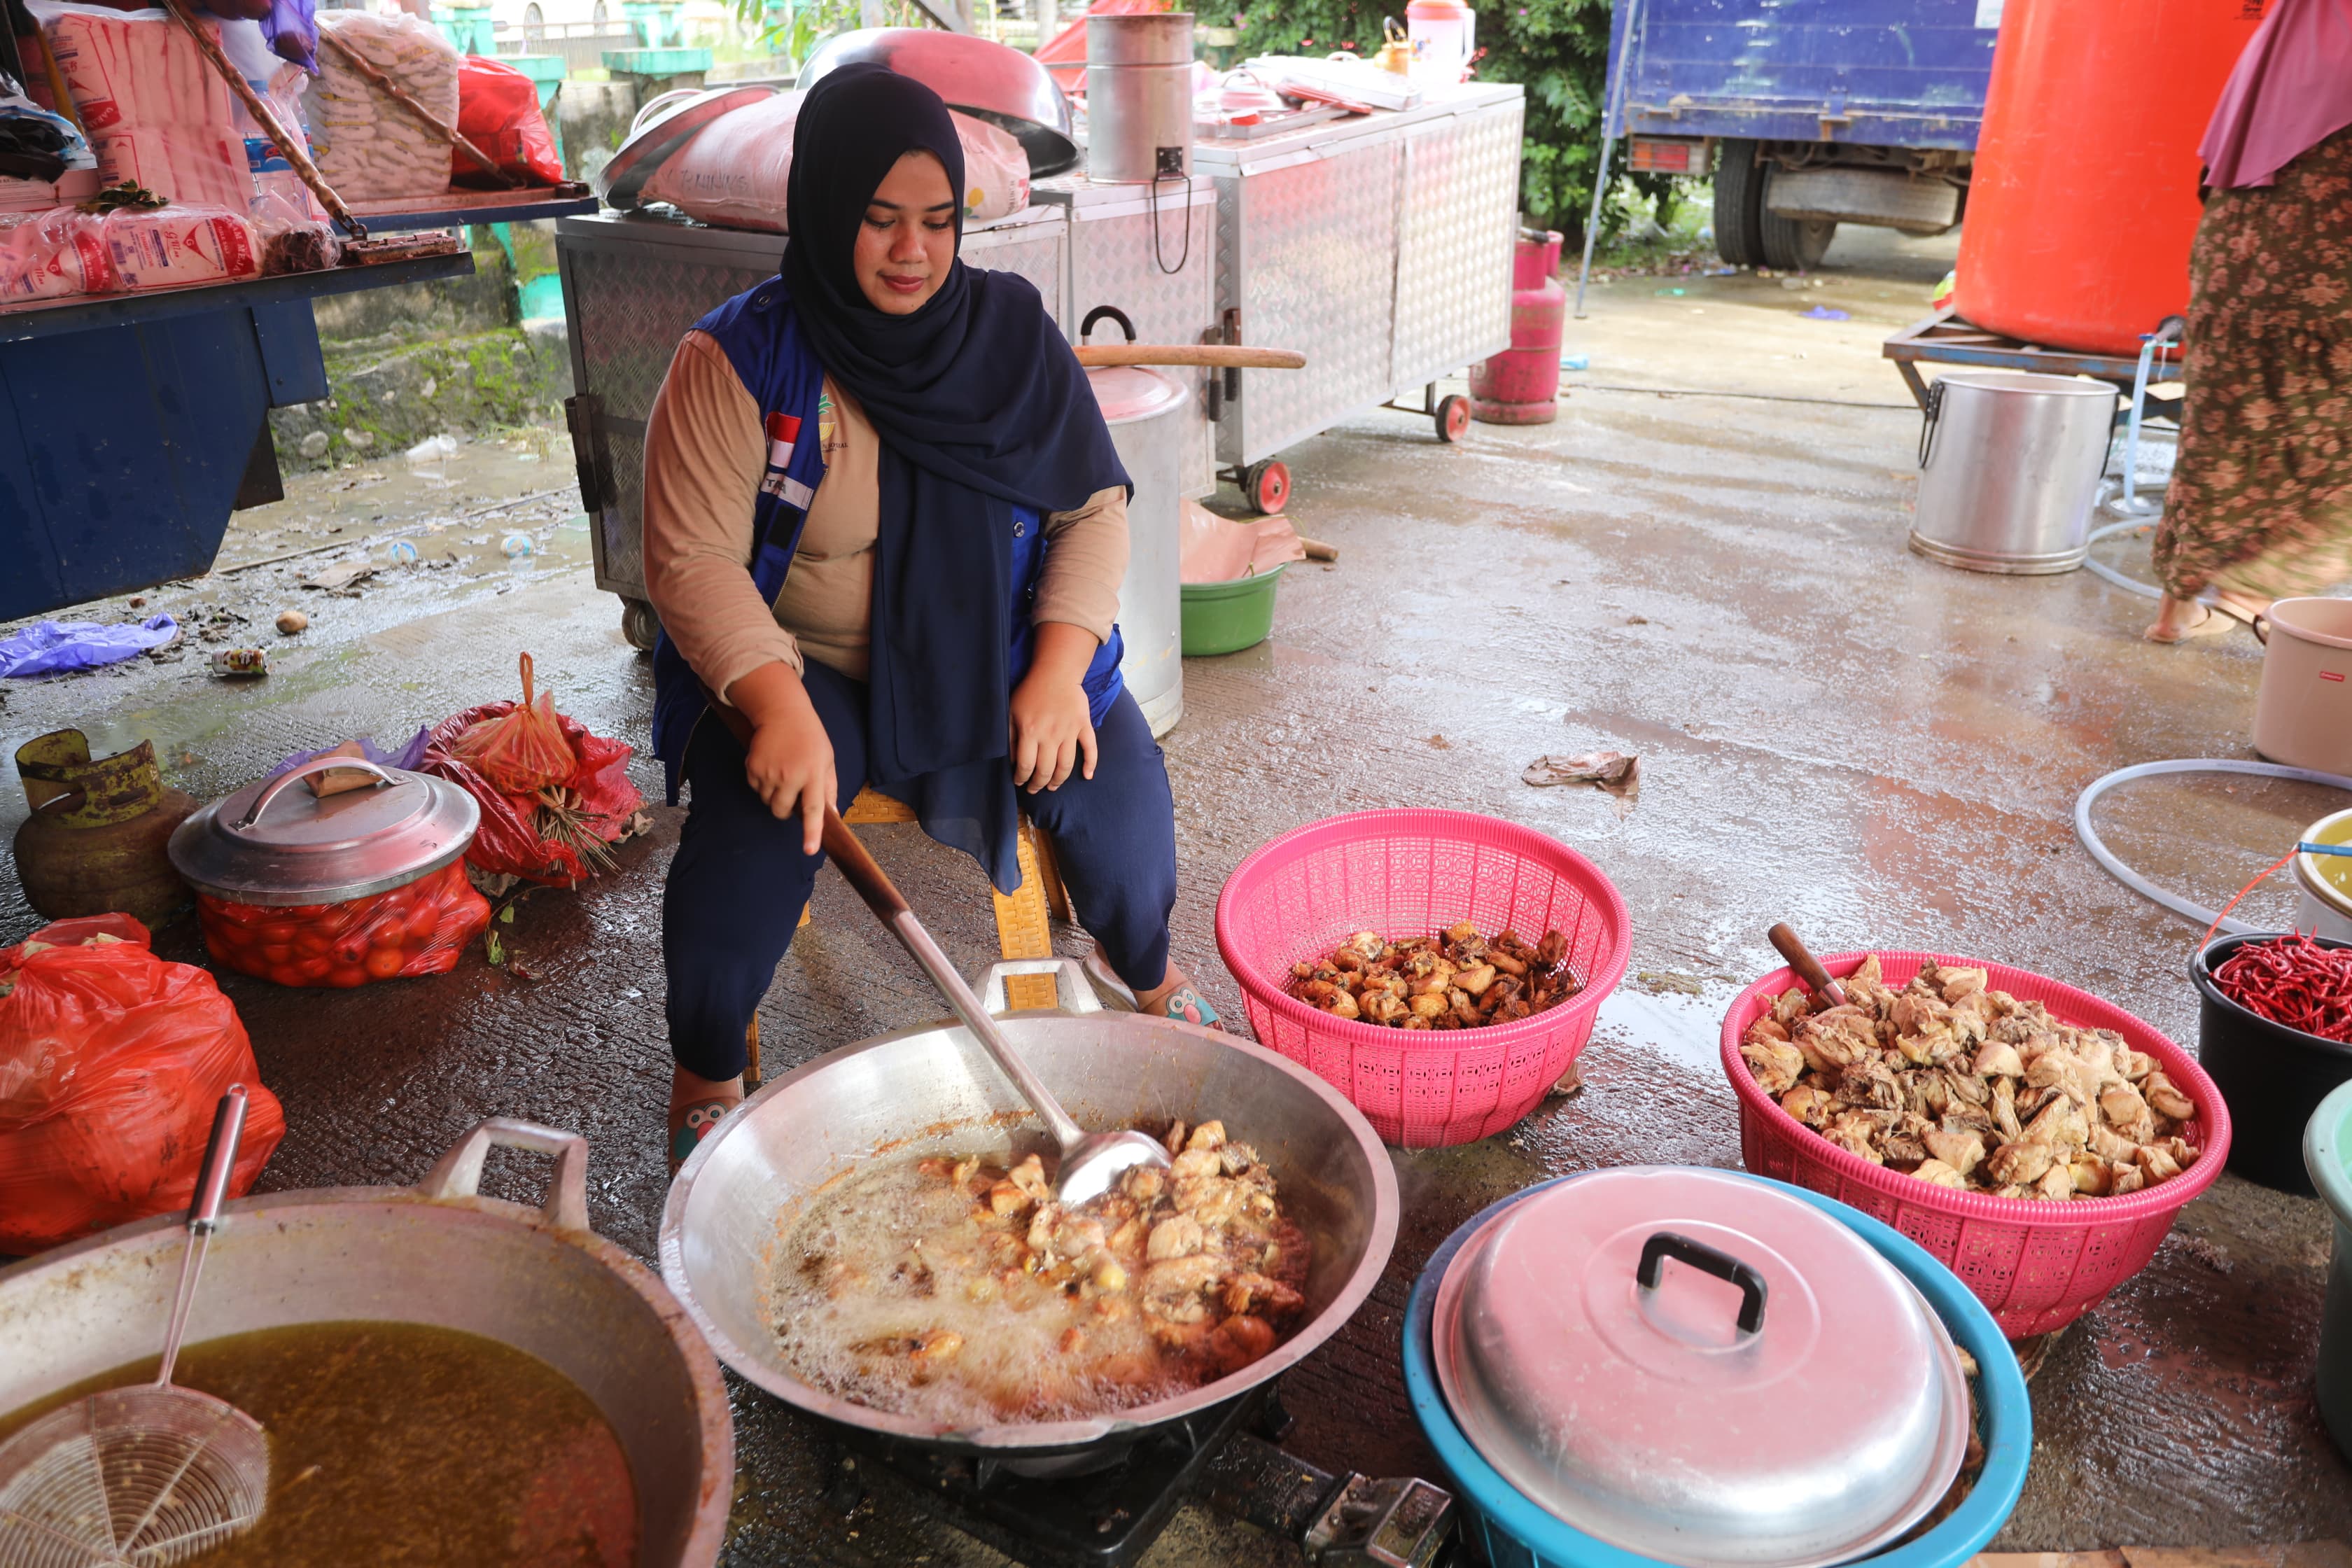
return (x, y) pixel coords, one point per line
(1448, 981)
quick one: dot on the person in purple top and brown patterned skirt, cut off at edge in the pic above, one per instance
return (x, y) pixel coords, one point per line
(2261, 497)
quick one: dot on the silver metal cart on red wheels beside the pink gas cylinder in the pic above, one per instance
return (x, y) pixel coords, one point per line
(1379, 246)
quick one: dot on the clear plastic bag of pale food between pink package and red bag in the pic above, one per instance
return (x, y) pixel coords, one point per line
(366, 145)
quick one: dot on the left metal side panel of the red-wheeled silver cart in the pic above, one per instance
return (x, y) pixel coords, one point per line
(1314, 267)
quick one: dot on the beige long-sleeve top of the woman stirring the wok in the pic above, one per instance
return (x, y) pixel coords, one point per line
(704, 457)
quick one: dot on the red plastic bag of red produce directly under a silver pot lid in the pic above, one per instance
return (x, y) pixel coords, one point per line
(413, 930)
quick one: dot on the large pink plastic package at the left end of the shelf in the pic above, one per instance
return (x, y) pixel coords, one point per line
(152, 105)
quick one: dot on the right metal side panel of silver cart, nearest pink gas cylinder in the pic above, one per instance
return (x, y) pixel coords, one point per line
(1457, 220)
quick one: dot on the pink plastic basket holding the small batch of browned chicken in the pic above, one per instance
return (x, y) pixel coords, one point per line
(1410, 873)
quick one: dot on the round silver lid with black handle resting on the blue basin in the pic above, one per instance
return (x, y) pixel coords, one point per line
(1798, 1407)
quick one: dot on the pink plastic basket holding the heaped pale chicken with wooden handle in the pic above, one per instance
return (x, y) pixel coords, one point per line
(2036, 1266)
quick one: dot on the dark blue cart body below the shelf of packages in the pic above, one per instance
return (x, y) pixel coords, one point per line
(135, 424)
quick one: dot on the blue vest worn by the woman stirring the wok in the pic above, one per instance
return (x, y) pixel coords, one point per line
(761, 335)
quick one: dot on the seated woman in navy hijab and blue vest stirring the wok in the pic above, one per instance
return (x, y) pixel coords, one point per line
(886, 525)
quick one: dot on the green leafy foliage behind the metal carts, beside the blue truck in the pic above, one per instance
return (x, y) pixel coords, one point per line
(1553, 48)
